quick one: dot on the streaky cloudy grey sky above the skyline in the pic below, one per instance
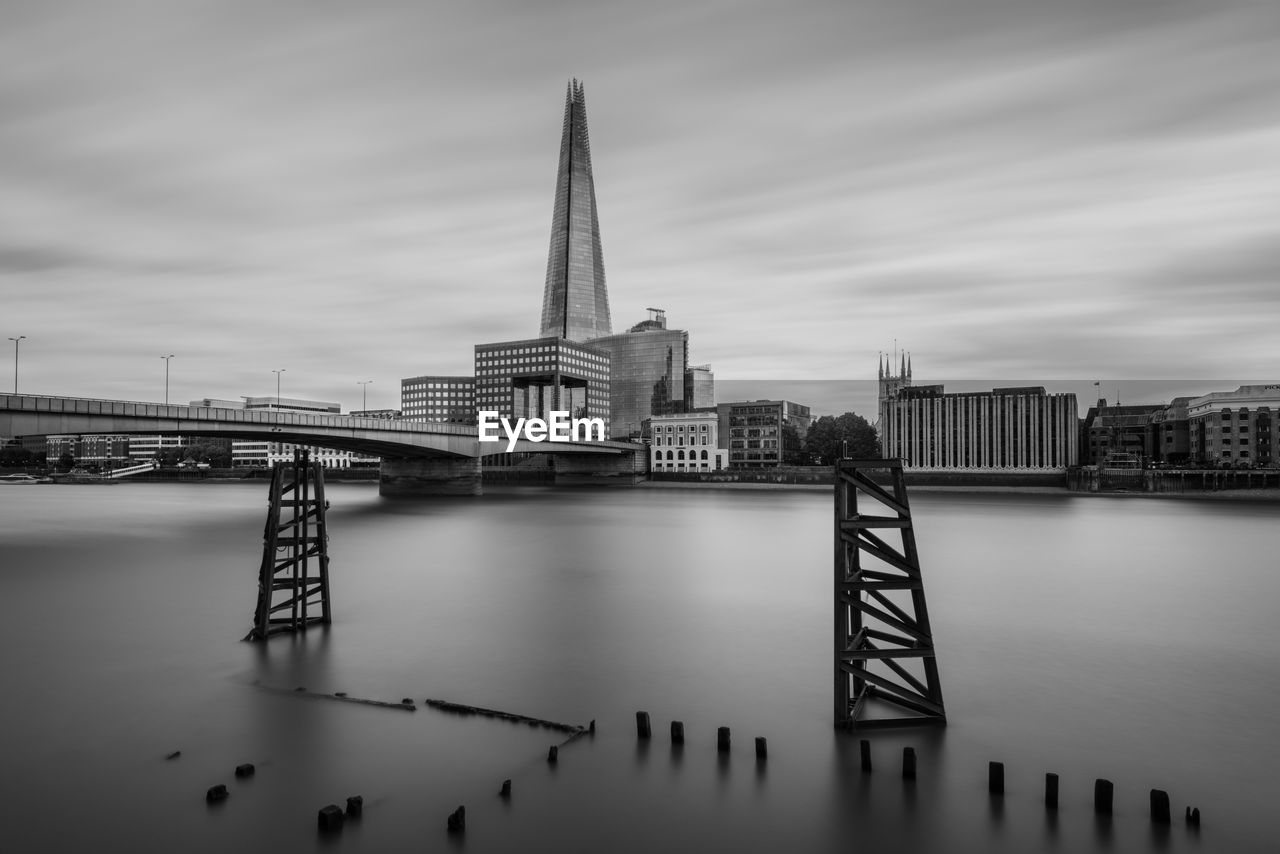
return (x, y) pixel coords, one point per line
(363, 191)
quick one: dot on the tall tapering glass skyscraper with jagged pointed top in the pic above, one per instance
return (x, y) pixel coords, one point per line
(575, 300)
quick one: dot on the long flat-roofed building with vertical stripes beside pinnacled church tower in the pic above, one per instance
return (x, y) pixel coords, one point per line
(1007, 428)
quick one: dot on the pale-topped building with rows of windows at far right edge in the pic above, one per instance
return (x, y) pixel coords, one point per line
(1236, 428)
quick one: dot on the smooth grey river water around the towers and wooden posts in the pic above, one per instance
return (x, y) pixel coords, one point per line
(1128, 640)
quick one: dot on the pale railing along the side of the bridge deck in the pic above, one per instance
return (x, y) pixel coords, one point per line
(179, 413)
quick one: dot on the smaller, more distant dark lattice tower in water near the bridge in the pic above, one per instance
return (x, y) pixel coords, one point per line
(294, 579)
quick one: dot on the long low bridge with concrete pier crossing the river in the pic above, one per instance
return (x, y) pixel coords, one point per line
(418, 458)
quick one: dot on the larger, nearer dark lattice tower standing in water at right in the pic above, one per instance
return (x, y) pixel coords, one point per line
(885, 668)
